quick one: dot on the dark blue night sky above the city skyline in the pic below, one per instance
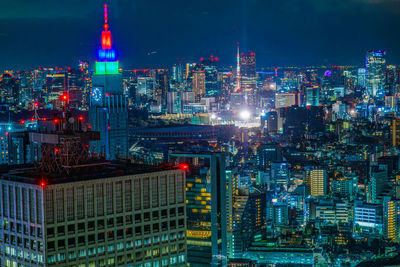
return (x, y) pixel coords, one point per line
(281, 32)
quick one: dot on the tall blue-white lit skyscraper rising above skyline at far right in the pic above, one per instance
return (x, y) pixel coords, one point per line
(375, 69)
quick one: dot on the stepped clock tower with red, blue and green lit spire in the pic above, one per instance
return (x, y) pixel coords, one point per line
(108, 112)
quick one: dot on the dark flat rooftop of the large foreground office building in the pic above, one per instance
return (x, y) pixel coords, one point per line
(90, 171)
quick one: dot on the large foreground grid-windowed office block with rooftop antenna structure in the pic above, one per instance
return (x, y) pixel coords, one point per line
(80, 211)
